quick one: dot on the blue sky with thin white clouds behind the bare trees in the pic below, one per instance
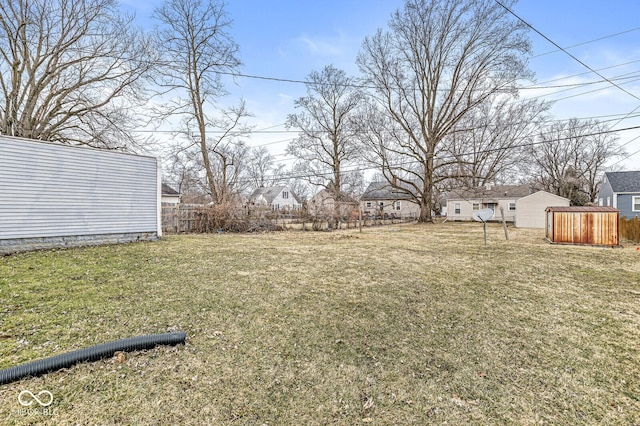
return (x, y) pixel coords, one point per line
(288, 39)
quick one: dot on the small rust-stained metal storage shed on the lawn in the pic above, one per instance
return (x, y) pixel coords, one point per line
(582, 225)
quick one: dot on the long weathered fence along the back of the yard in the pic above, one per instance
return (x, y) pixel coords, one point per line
(198, 218)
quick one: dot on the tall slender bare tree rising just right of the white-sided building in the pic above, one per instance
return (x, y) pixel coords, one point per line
(194, 36)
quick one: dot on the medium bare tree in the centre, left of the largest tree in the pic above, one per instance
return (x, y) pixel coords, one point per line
(327, 140)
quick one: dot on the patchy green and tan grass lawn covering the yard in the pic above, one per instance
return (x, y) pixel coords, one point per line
(394, 325)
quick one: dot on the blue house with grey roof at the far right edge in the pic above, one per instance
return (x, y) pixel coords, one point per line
(621, 190)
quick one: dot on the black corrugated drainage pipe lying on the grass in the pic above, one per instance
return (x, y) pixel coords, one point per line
(92, 353)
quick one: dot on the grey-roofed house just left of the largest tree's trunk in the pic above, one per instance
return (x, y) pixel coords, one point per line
(382, 199)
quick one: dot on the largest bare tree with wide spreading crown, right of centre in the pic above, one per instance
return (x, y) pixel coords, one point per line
(439, 60)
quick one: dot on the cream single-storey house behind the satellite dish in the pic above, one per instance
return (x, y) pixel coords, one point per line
(462, 203)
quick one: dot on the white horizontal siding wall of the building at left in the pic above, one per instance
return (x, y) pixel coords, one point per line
(50, 190)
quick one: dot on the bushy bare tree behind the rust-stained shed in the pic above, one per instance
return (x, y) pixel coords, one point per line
(569, 157)
